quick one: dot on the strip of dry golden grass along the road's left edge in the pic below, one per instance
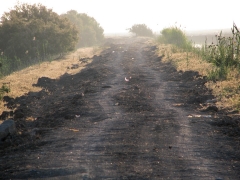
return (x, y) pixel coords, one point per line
(21, 81)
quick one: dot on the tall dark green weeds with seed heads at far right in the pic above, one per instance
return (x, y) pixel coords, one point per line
(224, 54)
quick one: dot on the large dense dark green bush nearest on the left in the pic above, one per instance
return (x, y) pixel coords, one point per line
(30, 33)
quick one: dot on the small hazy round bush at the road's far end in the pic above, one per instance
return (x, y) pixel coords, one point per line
(141, 30)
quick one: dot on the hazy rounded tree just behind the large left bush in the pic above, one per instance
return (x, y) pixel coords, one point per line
(90, 32)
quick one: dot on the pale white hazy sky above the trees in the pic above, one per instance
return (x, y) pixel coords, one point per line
(117, 15)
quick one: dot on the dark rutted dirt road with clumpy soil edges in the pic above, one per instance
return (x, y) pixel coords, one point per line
(136, 129)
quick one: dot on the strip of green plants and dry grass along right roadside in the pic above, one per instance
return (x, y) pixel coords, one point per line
(219, 62)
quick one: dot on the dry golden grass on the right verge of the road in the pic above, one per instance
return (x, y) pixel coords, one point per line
(227, 92)
